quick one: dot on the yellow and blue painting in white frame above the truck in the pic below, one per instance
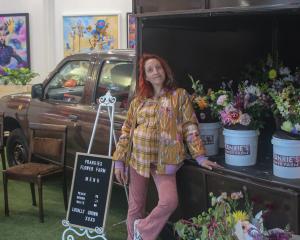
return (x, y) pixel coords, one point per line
(88, 33)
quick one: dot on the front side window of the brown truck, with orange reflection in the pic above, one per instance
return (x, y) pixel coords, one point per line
(68, 84)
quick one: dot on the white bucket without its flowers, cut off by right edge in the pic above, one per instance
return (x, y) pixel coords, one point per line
(286, 158)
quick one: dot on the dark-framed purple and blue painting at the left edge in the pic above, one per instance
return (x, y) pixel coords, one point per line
(14, 40)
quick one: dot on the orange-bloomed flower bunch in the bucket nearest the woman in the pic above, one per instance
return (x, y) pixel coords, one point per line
(202, 102)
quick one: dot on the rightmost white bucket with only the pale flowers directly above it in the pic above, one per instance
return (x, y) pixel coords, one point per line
(286, 142)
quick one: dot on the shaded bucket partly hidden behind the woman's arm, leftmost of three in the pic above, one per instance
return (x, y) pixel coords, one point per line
(209, 133)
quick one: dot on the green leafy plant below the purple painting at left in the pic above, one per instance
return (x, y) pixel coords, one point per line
(19, 76)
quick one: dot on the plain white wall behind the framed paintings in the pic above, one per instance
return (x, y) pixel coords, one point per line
(45, 23)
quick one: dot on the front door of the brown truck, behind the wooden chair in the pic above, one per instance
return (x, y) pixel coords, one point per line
(62, 100)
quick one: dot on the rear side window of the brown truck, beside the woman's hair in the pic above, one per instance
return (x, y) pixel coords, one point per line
(116, 76)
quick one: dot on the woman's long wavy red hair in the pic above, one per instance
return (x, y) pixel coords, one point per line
(144, 88)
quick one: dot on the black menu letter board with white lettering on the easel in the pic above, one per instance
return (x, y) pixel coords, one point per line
(90, 191)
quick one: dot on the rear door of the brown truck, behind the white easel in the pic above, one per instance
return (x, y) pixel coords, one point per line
(116, 76)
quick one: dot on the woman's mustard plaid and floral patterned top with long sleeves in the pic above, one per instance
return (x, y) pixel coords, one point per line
(155, 132)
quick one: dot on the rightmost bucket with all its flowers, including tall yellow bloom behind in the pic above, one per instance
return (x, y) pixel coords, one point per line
(282, 85)
